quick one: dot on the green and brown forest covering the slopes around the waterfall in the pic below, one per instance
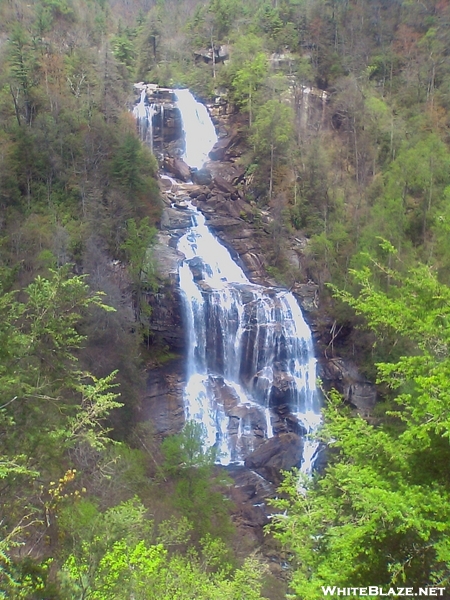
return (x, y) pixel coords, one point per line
(93, 504)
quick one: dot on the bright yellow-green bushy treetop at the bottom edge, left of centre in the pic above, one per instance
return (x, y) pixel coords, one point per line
(114, 555)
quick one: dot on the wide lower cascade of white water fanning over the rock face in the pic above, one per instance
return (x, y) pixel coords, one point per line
(246, 343)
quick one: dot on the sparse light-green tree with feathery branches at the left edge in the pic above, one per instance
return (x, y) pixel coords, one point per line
(48, 405)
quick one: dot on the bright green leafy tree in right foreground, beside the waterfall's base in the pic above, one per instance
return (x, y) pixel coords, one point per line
(381, 510)
